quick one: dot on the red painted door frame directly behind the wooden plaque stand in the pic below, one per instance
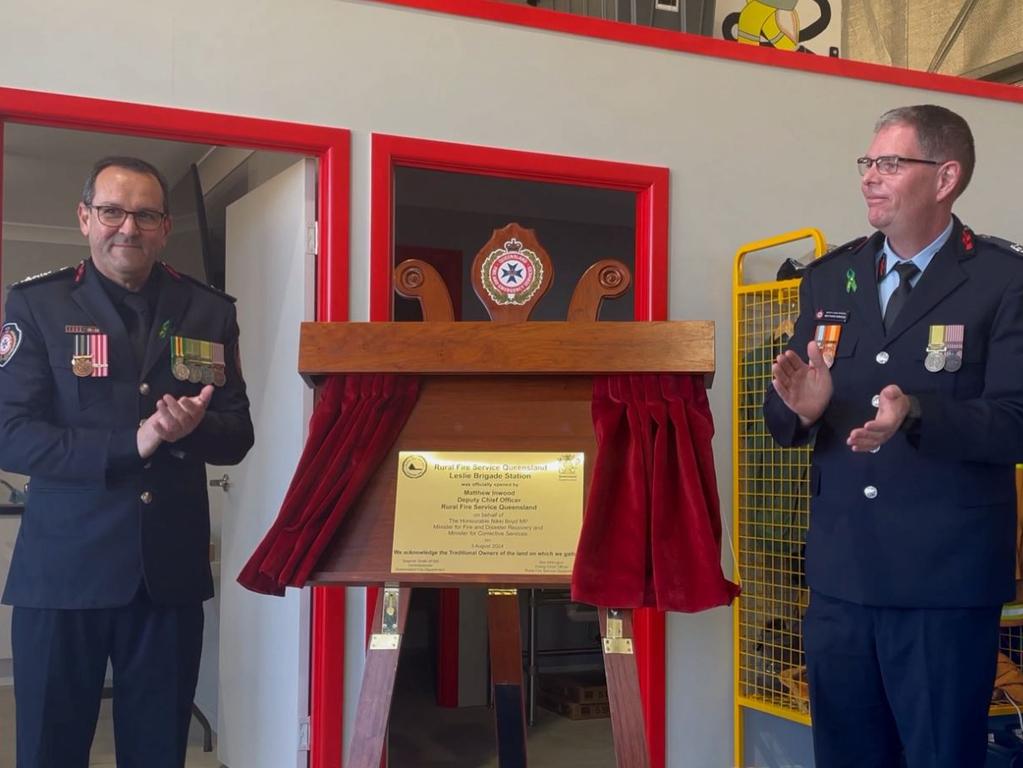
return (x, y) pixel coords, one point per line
(650, 185)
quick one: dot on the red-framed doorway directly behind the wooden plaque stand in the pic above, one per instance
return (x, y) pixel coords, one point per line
(441, 202)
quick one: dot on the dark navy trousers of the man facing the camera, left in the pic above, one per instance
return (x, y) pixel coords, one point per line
(61, 664)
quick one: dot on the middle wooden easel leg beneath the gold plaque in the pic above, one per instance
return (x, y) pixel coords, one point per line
(506, 670)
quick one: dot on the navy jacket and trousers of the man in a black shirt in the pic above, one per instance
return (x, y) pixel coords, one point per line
(112, 558)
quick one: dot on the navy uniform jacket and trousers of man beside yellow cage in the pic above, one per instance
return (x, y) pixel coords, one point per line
(911, 551)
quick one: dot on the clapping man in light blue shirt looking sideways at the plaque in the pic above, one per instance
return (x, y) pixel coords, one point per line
(905, 374)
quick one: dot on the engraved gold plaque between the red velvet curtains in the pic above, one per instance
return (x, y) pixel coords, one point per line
(514, 514)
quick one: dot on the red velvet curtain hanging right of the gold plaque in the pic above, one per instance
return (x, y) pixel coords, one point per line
(652, 532)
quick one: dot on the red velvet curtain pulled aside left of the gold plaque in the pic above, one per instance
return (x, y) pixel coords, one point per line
(355, 424)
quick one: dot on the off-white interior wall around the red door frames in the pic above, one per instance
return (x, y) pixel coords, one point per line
(753, 151)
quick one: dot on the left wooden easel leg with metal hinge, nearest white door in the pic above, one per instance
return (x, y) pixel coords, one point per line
(378, 680)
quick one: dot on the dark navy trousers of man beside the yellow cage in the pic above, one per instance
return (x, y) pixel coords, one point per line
(885, 680)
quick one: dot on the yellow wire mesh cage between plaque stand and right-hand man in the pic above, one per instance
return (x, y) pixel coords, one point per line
(772, 496)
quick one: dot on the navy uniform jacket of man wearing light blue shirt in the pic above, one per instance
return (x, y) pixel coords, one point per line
(941, 531)
